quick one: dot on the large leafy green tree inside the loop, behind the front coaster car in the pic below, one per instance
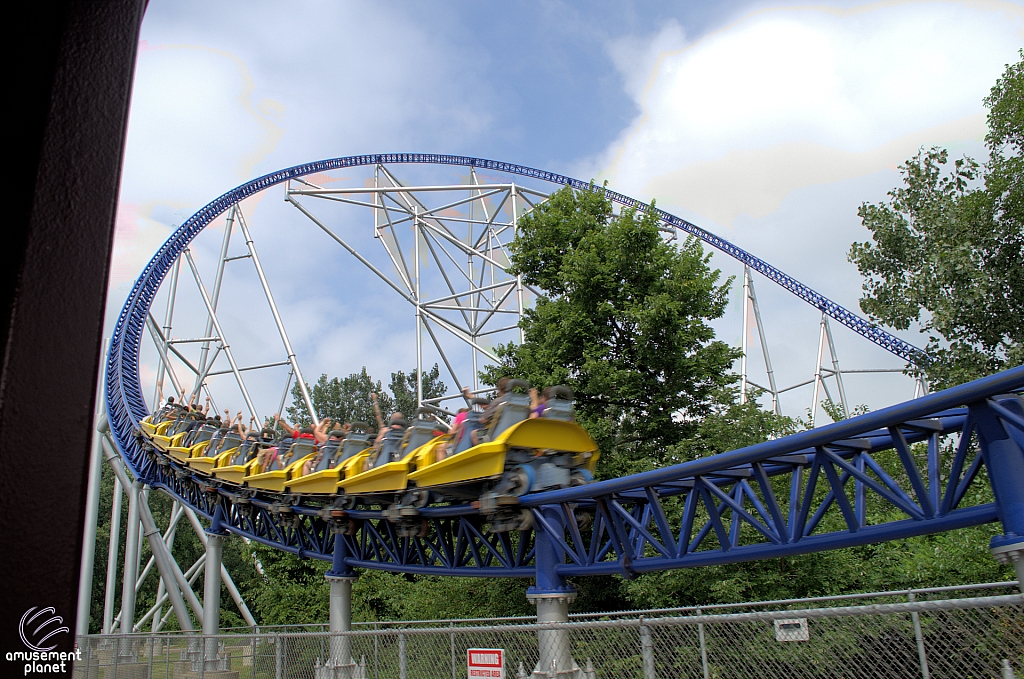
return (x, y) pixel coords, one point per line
(623, 320)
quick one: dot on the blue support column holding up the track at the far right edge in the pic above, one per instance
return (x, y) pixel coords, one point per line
(1003, 451)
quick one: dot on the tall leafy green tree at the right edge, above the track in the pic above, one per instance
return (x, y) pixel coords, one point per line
(948, 248)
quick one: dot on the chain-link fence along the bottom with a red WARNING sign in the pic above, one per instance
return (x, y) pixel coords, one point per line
(974, 638)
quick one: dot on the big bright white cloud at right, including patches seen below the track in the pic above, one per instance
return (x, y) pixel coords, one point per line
(771, 133)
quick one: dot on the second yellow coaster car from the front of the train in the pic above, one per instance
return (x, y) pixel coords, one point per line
(385, 470)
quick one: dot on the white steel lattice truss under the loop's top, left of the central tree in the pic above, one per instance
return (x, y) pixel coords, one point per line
(448, 246)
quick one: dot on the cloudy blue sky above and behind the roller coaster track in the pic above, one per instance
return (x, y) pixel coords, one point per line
(767, 124)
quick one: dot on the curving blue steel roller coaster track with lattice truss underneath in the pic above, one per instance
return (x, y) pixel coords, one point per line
(921, 465)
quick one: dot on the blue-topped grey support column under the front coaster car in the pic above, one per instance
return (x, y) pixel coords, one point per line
(552, 596)
